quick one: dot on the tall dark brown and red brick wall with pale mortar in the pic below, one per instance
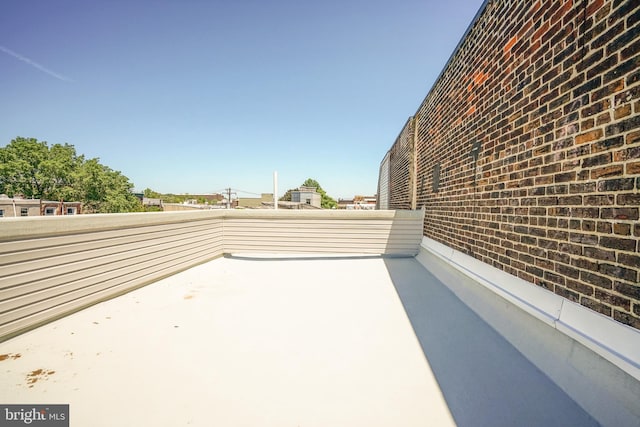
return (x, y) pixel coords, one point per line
(534, 130)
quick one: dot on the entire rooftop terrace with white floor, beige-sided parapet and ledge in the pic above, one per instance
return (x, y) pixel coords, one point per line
(300, 319)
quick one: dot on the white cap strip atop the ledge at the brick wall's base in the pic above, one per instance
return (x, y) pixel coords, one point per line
(612, 340)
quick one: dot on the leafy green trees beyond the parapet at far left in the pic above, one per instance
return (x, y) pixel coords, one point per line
(35, 170)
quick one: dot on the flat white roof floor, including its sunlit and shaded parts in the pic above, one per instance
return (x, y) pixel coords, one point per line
(267, 341)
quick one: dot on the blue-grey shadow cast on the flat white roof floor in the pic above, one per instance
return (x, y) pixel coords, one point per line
(484, 379)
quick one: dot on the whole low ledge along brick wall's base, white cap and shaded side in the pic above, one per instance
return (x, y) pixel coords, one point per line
(591, 357)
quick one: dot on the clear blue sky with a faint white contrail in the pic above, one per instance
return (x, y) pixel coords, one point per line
(195, 96)
